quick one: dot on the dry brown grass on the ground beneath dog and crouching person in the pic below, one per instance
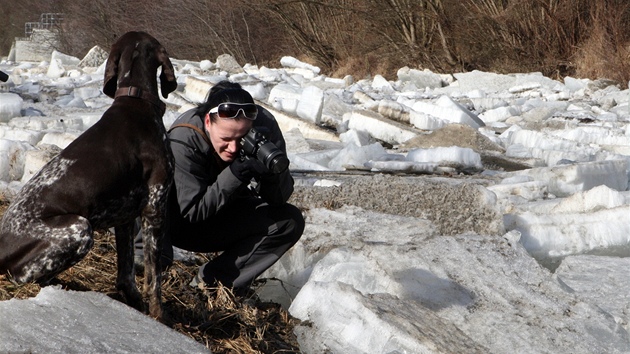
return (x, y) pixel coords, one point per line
(213, 317)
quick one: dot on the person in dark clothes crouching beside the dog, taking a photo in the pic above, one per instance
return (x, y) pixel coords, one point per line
(211, 208)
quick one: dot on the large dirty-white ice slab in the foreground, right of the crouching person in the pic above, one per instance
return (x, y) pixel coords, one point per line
(421, 292)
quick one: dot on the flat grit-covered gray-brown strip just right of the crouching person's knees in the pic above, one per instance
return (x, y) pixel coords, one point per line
(454, 204)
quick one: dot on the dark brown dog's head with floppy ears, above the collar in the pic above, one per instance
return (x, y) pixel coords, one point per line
(136, 56)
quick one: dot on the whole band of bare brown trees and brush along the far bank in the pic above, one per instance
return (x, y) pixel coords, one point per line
(359, 37)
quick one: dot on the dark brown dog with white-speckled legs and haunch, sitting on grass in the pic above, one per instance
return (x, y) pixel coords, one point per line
(117, 170)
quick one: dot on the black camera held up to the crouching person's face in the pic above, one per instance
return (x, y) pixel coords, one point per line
(255, 144)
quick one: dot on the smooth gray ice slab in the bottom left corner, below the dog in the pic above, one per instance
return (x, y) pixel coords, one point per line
(59, 321)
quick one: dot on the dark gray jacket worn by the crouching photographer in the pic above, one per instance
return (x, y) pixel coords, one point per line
(202, 183)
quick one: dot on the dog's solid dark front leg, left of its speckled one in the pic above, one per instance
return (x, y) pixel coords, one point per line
(125, 280)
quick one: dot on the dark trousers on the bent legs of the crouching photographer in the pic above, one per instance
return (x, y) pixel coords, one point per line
(250, 234)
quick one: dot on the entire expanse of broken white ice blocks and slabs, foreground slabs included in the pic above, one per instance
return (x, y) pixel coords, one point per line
(531, 259)
